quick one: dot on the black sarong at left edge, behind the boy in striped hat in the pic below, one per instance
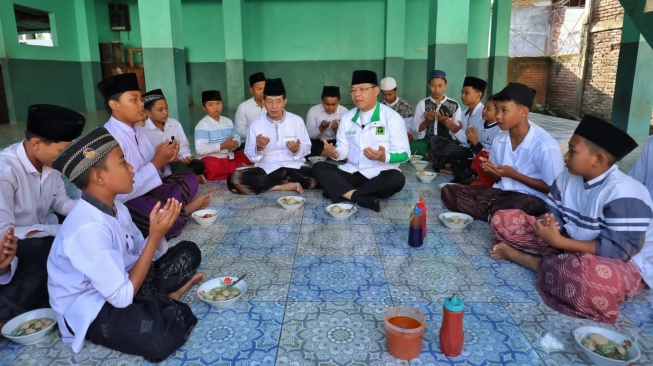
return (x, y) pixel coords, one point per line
(28, 289)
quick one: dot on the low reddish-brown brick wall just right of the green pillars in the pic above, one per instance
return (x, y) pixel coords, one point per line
(532, 71)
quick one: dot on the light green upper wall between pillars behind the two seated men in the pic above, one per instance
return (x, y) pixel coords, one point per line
(307, 30)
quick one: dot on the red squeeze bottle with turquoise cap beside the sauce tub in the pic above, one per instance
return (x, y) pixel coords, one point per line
(452, 335)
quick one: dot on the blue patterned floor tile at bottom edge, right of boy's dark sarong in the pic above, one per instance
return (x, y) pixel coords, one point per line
(246, 334)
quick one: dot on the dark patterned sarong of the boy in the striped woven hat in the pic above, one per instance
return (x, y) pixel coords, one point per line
(153, 325)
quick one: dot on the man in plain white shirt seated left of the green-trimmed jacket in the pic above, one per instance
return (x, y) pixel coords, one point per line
(276, 143)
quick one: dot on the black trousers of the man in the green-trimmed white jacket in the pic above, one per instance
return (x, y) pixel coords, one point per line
(337, 182)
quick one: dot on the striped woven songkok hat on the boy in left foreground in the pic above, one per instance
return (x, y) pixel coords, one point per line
(84, 152)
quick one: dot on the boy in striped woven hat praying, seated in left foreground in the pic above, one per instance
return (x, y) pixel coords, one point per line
(107, 283)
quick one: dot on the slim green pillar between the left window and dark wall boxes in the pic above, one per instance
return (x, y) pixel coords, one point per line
(88, 53)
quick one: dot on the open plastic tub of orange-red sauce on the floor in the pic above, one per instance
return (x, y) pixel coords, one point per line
(404, 329)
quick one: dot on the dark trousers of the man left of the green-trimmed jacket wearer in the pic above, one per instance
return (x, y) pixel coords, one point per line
(256, 180)
